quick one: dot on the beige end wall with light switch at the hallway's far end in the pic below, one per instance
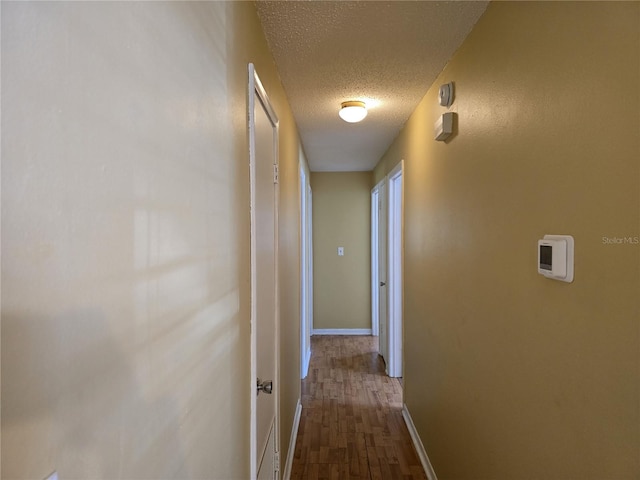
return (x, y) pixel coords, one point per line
(341, 218)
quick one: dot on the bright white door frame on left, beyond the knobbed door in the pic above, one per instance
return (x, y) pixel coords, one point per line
(306, 265)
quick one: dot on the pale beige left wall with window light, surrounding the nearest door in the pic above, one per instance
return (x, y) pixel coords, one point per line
(125, 239)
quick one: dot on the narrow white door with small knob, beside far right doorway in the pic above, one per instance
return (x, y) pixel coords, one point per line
(382, 273)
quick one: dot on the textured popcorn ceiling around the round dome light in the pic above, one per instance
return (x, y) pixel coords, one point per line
(385, 53)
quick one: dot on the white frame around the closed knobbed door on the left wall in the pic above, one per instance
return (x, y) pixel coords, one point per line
(257, 92)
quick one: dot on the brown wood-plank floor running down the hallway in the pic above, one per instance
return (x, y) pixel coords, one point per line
(351, 425)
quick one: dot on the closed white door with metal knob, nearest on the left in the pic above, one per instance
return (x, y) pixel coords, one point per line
(263, 137)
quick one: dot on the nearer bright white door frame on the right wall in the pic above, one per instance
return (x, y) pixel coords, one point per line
(394, 269)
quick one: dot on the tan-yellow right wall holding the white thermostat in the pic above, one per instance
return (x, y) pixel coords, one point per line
(510, 375)
